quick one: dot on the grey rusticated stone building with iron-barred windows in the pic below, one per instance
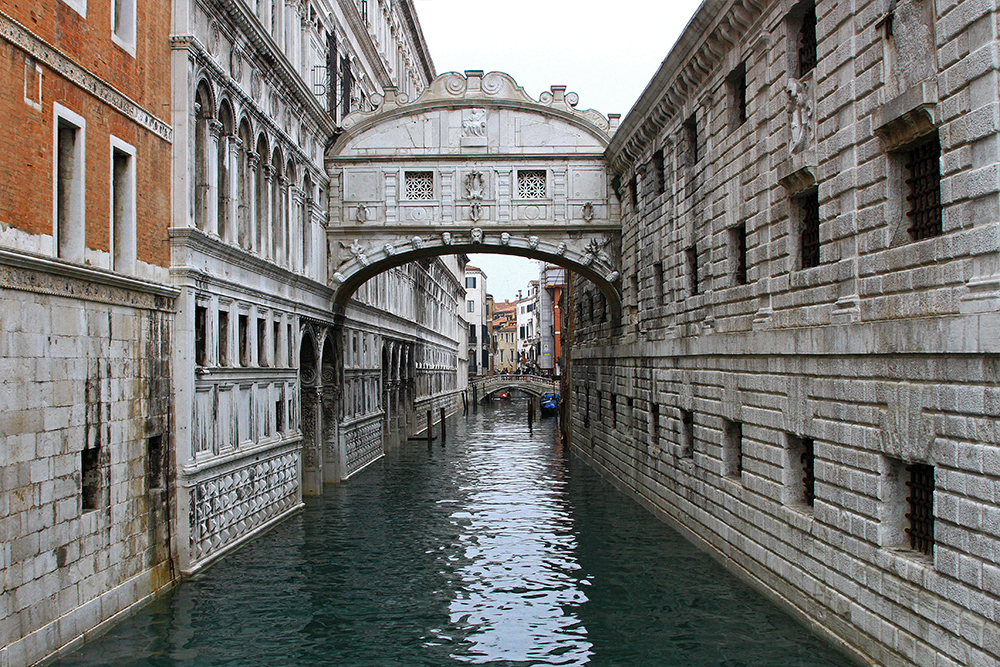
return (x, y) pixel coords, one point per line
(804, 376)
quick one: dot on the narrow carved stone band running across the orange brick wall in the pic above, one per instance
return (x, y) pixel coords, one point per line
(58, 62)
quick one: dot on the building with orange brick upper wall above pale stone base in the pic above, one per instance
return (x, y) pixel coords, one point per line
(85, 316)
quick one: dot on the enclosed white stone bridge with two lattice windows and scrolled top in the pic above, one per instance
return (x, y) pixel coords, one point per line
(474, 165)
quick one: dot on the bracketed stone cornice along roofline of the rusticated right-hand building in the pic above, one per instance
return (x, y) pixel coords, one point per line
(715, 29)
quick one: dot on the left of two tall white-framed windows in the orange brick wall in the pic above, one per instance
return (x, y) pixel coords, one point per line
(69, 199)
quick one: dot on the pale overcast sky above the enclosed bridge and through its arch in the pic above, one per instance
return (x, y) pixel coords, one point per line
(606, 52)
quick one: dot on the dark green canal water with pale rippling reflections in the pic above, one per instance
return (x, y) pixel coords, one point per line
(494, 548)
